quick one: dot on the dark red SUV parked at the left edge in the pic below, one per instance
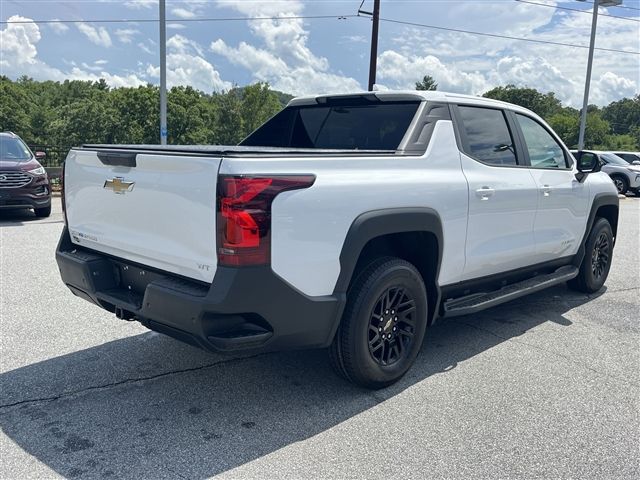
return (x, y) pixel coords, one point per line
(23, 181)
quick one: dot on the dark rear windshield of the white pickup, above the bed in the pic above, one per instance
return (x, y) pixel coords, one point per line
(378, 126)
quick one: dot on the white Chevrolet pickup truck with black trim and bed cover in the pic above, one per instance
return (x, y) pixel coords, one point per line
(345, 221)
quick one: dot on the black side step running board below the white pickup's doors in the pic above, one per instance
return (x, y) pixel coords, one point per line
(479, 301)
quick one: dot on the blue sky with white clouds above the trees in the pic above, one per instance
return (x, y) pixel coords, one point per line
(306, 56)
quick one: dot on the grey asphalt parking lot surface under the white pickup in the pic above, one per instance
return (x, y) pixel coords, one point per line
(545, 387)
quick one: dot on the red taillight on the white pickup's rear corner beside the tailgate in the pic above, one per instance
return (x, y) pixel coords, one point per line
(244, 216)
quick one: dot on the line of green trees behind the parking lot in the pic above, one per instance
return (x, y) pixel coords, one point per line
(74, 112)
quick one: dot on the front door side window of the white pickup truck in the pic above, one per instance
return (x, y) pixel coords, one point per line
(544, 151)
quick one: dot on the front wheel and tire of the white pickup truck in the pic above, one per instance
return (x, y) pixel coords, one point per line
(597, 259)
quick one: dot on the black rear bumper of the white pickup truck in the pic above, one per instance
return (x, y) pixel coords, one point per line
(243, 309)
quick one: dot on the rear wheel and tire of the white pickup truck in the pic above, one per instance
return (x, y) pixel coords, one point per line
(376, 359)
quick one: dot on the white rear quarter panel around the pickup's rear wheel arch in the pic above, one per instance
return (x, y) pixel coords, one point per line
(309, 226)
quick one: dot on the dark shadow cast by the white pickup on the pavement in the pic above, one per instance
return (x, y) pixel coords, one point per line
(220, 412)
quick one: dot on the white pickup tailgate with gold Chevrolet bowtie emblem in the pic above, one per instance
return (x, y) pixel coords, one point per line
(158, 210)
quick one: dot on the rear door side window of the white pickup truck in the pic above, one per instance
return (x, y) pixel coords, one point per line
(487, 136)
